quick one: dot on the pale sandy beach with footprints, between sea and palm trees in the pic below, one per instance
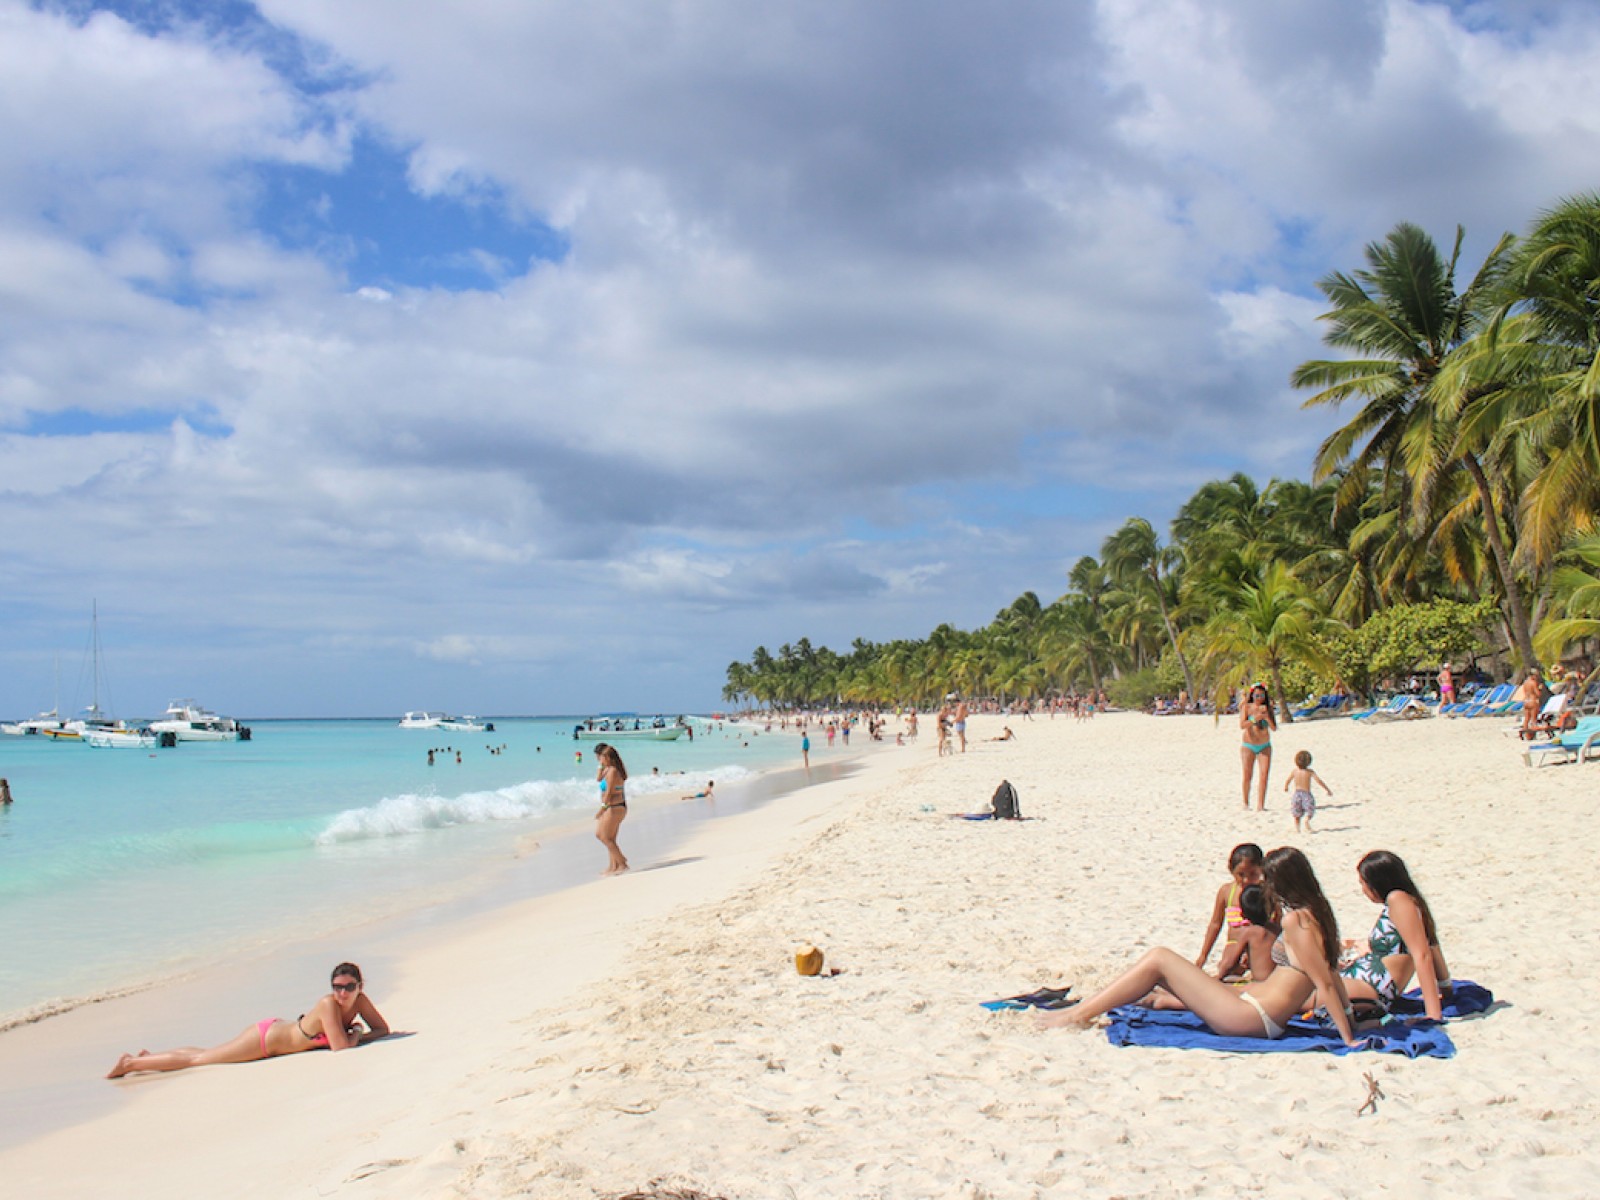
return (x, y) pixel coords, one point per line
(654, 1028)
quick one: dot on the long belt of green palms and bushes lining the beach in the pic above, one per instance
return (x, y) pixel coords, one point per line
(1450, 518)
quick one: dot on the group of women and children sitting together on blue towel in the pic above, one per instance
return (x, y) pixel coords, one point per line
(1282, 930)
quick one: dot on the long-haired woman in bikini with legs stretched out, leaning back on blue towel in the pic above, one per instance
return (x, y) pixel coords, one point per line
(1306, 958)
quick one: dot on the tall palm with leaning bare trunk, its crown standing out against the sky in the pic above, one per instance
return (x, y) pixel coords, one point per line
(1404, 314)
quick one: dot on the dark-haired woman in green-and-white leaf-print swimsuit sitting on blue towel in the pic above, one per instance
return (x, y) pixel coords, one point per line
(1402, 943)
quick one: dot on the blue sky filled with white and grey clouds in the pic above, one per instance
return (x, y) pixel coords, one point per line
(543, 356)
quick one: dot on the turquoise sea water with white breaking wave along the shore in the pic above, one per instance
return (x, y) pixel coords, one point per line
(126, 866)
